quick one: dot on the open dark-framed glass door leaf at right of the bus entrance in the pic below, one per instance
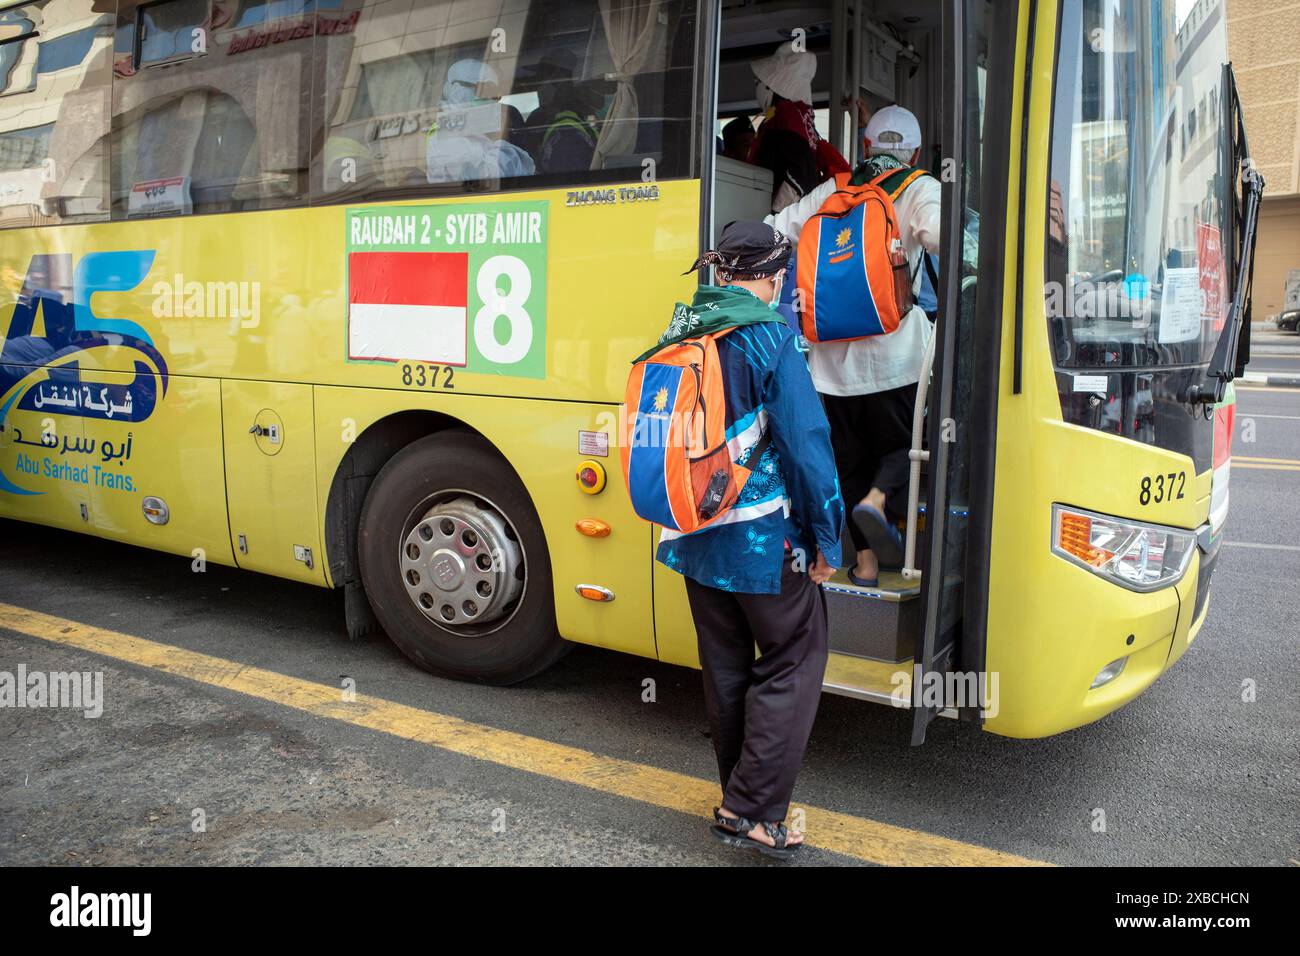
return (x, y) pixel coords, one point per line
(980, 57)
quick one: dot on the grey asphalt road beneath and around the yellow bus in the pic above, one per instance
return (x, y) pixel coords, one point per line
(1189, 775)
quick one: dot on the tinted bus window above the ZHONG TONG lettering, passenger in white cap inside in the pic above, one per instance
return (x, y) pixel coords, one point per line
(473, 96)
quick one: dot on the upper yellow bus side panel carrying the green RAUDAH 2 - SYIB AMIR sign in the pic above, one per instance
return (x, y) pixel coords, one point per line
(266, 296)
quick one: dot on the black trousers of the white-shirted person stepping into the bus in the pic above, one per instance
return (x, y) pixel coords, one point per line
(872, 436)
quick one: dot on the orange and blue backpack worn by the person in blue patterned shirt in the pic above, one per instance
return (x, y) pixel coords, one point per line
(677, 464)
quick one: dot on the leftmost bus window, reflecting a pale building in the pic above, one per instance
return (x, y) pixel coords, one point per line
(54, 81)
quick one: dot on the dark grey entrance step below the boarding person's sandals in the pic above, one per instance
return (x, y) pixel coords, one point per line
(879, 624)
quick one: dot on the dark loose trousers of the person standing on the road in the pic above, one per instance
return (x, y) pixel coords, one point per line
(761, 711)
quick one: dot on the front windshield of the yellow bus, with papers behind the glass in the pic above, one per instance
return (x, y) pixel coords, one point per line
(1137, 271)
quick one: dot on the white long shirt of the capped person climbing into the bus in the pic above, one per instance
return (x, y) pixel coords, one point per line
(886, 362)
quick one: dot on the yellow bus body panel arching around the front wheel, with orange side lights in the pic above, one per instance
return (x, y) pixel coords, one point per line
(541, 443)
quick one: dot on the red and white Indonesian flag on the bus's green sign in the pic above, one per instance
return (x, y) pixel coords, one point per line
(409, 308)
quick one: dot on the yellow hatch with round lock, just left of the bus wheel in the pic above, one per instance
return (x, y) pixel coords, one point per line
(271, 478)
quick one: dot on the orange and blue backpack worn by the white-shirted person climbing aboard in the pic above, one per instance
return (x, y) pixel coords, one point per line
(852, 267)
